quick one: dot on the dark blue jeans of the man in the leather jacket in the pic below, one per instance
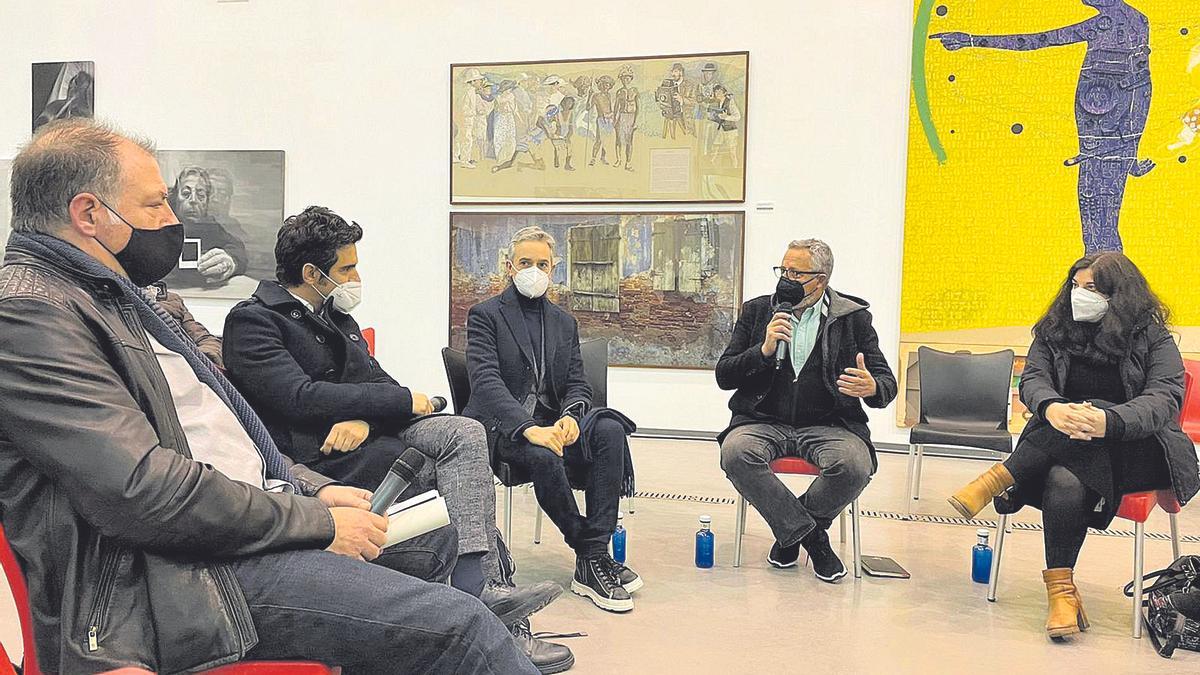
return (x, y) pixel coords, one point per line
(317, 606)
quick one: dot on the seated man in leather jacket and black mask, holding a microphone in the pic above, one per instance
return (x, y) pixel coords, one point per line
(161, 533)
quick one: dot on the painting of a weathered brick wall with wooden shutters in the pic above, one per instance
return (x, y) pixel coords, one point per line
(664, 289)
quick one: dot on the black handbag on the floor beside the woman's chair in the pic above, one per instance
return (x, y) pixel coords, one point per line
(1168, 629)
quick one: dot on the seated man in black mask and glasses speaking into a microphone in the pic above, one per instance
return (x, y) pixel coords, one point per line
(806, 404)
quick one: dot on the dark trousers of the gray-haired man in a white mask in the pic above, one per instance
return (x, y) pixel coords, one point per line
(587, 535)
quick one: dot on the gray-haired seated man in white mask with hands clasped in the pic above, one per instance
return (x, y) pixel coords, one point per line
(529, 390)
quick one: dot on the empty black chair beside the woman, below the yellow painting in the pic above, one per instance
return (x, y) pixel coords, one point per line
(964, 403)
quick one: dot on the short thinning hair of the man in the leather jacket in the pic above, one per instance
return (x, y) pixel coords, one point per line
(65, 159)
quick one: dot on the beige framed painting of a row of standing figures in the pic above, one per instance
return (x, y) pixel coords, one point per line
(640, 129)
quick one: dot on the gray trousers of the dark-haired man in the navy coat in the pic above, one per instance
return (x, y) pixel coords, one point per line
(457, 449)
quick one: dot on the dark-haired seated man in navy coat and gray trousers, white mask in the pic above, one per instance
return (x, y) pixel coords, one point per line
(299, 357)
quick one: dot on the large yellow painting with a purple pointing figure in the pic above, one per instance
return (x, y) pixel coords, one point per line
(1041, 130)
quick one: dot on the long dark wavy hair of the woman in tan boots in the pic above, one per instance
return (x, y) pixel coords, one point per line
(1132, 306)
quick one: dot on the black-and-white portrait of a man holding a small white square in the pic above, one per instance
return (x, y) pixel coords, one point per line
(231, 204)
